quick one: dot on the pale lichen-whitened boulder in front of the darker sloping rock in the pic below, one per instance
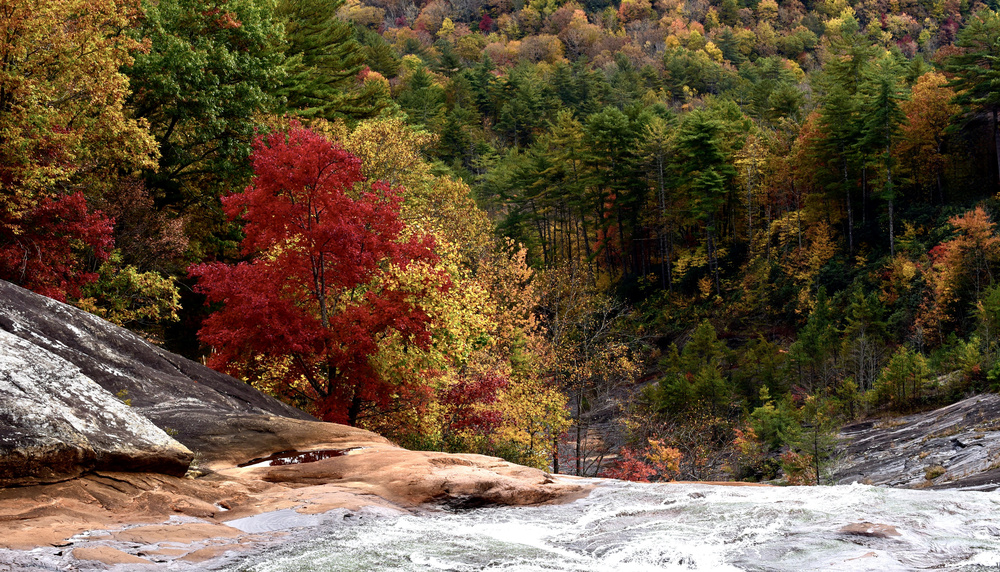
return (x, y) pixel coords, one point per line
(56, 423)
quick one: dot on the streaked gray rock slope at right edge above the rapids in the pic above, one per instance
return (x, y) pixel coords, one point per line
(954, 447)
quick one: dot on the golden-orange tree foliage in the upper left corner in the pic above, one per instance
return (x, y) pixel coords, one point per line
(63, 97)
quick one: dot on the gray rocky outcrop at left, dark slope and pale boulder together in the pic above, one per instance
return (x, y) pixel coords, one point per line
(77, 364)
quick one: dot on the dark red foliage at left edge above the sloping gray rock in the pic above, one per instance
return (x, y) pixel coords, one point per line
(44, 247)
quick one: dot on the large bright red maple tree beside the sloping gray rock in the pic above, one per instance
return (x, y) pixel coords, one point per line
(315, 294)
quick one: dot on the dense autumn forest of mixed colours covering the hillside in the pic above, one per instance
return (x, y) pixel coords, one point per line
(647, 240)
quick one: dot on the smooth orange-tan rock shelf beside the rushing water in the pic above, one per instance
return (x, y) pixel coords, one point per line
(161, 518)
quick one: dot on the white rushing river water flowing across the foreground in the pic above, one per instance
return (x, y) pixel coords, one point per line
(652, 527)
